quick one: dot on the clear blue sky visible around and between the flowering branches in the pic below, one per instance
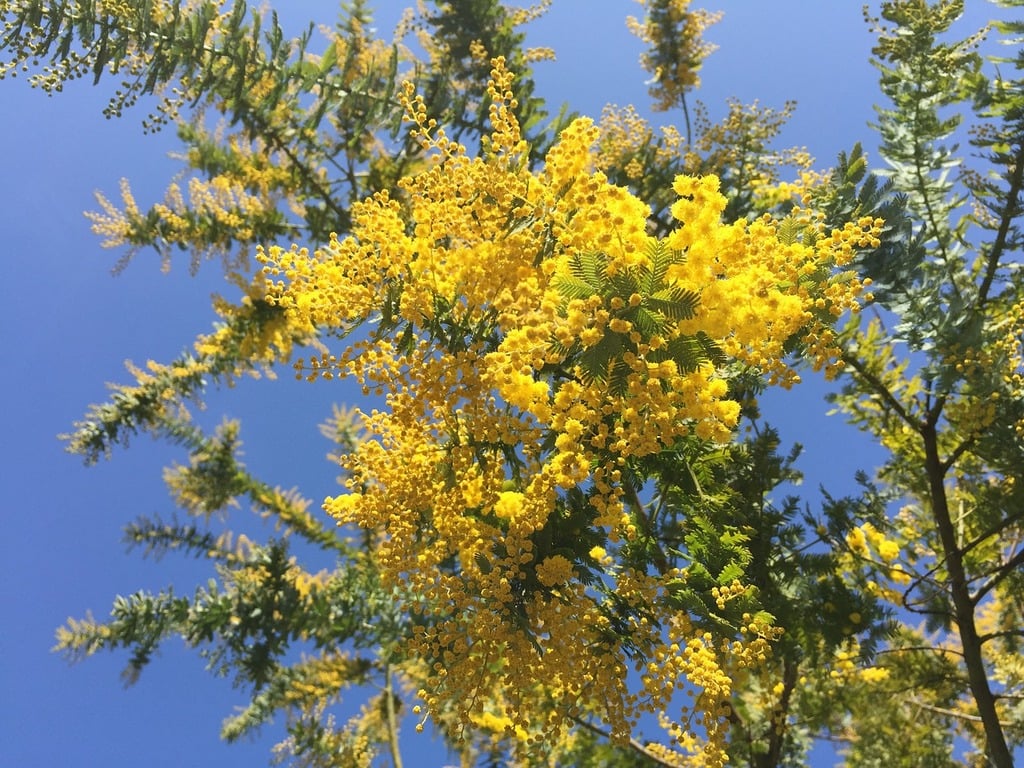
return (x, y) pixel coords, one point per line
(71, 326)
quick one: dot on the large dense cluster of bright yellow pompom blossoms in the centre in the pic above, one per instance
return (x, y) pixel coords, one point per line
(478, 336)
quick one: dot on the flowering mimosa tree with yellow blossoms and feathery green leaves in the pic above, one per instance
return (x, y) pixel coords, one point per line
(562, 534)
